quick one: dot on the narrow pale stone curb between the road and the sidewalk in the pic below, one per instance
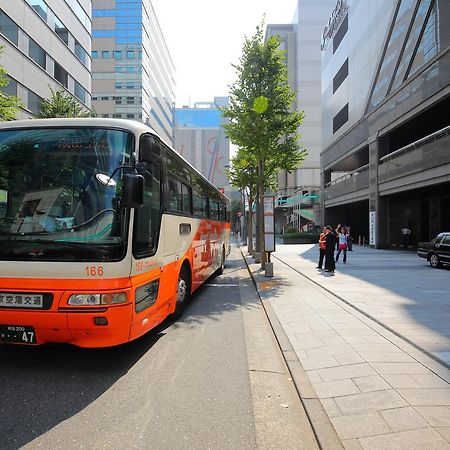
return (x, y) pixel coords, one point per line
(321, 425)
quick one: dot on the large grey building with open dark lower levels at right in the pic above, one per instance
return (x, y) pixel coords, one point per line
(385, 163)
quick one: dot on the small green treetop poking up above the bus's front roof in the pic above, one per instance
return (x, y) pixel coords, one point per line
(62, 104)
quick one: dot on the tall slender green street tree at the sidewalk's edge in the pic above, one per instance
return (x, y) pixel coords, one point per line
(261, 116)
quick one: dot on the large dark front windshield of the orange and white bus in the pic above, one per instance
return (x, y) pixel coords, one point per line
(58, 201)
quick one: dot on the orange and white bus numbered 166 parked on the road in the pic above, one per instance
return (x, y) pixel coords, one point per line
(104, 231)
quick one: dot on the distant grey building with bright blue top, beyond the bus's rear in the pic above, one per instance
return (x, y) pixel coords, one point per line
(200, 138)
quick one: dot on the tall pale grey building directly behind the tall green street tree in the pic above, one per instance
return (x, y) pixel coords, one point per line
(301, 41)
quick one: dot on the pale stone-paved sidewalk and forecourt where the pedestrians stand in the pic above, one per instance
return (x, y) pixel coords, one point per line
(368, 340)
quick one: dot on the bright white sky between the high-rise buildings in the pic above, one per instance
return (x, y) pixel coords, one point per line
(205, 37)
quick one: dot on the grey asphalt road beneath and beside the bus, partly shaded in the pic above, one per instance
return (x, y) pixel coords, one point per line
(213, 380)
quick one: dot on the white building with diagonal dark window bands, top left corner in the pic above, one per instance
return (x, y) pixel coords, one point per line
(47, 43)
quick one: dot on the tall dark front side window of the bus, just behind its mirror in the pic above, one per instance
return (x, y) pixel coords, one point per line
(146, 226)
